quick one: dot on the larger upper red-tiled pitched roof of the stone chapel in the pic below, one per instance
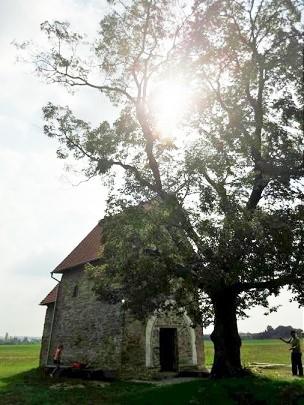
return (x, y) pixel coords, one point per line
(88, 250)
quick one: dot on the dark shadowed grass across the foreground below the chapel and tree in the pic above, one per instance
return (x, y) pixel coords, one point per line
(34, 388)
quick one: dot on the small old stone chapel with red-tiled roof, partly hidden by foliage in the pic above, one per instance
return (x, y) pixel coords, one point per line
(106, 336)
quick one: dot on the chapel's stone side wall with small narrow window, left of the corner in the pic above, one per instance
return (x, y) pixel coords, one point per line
(90, 330)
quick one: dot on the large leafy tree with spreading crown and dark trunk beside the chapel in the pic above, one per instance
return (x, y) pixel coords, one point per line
(209, 210)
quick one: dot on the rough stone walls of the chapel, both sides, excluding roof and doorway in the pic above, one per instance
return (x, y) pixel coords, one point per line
(106, 336)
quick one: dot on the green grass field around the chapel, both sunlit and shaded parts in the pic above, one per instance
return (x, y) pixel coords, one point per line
(22, 383)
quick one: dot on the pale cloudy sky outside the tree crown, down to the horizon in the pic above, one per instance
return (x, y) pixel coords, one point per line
(44, 214)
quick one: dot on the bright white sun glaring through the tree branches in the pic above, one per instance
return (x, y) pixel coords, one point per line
(169, 102)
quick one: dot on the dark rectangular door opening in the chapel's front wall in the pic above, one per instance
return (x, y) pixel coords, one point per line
(168, 349)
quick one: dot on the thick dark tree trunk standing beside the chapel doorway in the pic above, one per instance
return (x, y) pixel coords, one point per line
(225, 336)
